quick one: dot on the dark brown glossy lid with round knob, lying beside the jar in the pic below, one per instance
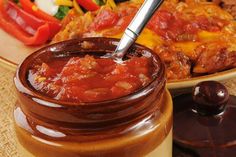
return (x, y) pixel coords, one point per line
(205, 121)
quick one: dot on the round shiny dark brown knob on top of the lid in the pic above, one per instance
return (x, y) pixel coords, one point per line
(210, 97)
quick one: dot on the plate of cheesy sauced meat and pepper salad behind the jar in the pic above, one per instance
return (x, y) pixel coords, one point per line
(195, 40)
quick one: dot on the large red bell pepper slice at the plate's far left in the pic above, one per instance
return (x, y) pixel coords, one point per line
(25, 27)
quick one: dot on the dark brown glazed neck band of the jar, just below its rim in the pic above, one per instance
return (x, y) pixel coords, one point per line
(88, 117)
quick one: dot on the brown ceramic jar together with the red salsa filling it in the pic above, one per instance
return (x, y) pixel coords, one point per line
(71, 101)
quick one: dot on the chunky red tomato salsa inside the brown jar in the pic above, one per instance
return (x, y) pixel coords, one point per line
(90, 79)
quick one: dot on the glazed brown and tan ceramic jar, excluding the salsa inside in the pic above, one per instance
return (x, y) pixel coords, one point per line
(135, 125)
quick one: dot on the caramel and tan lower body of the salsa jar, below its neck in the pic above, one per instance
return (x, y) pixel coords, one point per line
(150, 136)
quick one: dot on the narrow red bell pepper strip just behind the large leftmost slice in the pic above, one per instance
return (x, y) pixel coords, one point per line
(31, 8)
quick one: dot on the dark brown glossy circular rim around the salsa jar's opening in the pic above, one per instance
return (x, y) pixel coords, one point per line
(23, 86)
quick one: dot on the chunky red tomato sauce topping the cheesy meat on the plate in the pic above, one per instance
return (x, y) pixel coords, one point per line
(170, 25)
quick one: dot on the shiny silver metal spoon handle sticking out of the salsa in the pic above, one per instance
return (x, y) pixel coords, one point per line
(135, 27)
